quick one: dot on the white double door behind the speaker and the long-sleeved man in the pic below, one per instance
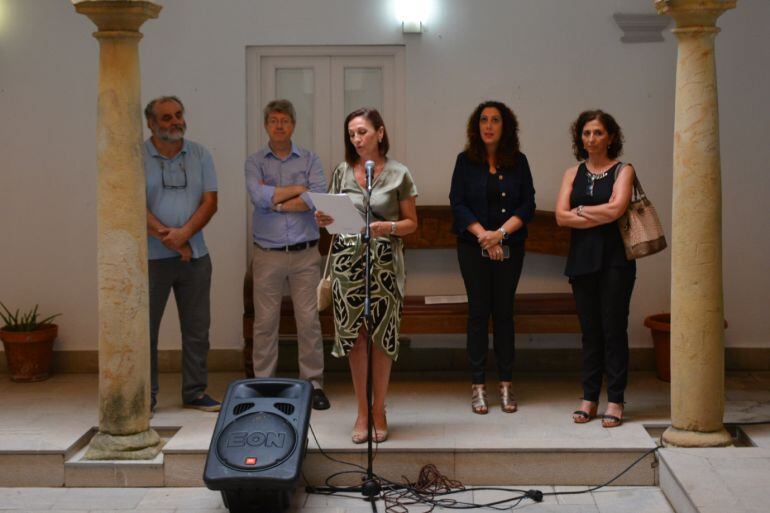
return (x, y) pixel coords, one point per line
(324, 89)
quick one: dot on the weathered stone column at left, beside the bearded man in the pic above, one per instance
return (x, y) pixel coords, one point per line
(124, 339)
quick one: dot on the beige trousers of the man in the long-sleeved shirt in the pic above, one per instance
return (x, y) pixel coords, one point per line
(270, 270)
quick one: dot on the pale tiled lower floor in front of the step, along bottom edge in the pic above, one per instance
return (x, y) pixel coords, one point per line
(637, 499)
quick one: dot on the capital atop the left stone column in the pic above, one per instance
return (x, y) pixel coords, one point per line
(118, 15)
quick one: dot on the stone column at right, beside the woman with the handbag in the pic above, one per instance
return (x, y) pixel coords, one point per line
(697, 312)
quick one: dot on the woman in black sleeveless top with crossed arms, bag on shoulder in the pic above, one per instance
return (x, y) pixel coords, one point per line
(593, 195)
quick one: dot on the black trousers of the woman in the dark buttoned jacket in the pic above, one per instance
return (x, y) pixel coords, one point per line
(491, 288)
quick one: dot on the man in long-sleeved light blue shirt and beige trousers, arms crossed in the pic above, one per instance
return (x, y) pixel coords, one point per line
(278, 178)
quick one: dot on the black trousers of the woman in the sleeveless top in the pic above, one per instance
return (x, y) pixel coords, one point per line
(602, 300)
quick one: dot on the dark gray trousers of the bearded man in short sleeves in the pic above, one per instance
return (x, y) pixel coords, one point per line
(191, 282)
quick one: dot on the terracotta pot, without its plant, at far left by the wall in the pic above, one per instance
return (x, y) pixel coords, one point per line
(29, 353)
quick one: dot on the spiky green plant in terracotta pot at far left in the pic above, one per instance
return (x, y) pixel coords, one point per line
(28, 343)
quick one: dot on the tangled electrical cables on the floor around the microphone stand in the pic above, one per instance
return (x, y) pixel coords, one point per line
(433, 488)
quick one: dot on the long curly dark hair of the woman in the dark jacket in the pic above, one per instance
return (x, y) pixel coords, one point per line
(509, 139)
